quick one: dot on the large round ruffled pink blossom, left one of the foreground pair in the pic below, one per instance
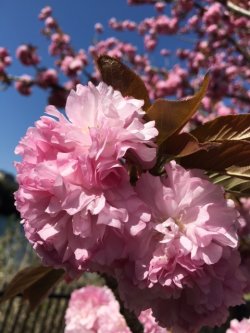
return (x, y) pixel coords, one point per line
(74, 196)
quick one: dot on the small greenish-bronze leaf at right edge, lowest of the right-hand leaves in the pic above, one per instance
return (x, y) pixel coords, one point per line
(236, 185)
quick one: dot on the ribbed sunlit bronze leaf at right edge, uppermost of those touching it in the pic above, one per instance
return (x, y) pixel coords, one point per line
(232, 127)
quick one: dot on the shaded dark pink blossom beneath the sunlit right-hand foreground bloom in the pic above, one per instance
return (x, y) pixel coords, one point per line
(189, 307)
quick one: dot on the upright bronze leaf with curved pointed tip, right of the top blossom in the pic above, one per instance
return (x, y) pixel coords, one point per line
(172, 116)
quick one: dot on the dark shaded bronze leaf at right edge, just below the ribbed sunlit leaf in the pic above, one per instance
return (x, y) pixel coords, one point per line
(231, 157)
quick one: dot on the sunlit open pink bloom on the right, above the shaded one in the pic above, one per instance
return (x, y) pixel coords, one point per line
(192, 220)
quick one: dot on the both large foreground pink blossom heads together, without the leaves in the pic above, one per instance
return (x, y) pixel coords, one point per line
(170, 241)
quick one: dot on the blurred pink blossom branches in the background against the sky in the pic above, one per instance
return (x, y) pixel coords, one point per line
(216, 38)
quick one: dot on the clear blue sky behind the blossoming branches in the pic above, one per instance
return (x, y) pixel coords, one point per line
(19, 24)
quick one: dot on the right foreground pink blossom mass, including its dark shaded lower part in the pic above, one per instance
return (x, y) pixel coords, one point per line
(189, 252)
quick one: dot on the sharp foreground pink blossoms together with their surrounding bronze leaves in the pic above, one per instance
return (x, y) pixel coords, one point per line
(161, 241)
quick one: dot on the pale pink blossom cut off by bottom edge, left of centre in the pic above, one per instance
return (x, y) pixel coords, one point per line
(94, 310)
